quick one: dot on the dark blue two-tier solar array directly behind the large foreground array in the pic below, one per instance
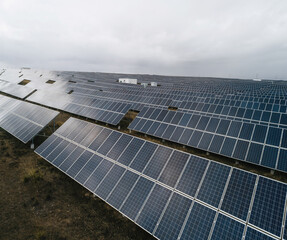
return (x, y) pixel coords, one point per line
(254, 143)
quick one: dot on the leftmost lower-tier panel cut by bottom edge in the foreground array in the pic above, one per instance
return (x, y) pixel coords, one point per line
(173, 218)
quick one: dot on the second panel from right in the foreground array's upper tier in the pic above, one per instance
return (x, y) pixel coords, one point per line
(239, 193)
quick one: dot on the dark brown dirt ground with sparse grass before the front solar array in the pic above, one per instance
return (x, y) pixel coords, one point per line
(39, 202)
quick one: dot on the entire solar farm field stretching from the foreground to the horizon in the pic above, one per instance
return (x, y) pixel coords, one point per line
(165, 158)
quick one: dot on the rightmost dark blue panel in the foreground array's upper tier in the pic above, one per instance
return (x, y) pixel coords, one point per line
(268, 206)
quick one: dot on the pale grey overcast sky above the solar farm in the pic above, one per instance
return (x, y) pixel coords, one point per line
(245, 39)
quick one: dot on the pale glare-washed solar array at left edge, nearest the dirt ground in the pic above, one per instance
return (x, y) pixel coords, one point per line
(23, 120)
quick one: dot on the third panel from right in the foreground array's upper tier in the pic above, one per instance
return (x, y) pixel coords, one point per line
(213, 184)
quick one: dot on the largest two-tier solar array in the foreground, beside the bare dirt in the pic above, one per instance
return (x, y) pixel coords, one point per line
(169, 193)
